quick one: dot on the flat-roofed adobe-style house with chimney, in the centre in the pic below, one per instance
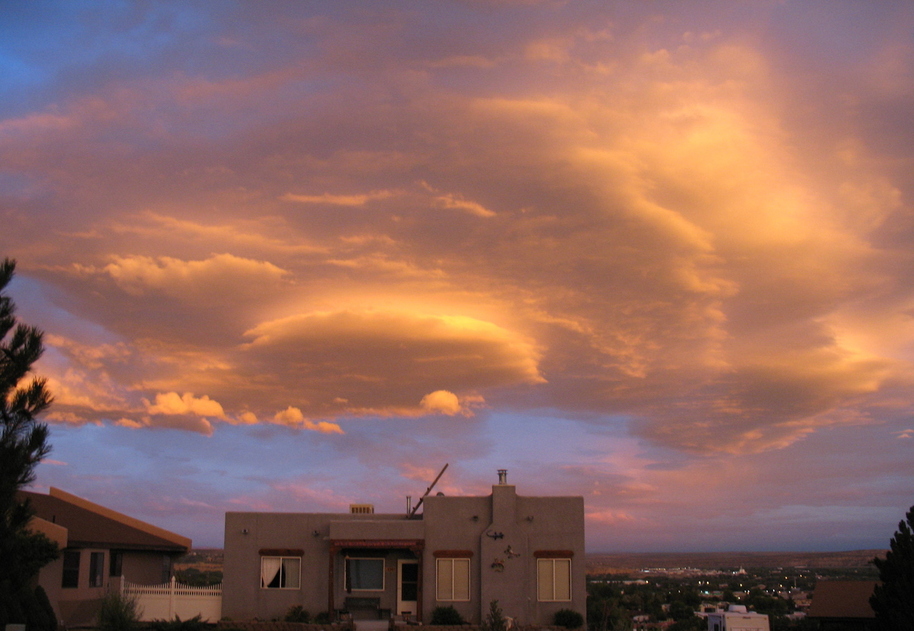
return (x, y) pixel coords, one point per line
(525, 552)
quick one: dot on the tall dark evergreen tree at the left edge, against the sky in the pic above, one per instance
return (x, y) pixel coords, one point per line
(23, 442)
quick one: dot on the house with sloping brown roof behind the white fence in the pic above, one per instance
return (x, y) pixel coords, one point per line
(98, 545)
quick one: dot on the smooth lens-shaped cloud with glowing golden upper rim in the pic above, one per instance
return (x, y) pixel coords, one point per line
(342, 361)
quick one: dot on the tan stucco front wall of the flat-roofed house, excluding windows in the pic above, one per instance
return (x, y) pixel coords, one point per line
(502, 568)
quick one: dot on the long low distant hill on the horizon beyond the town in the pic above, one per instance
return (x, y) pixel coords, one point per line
(606, 563)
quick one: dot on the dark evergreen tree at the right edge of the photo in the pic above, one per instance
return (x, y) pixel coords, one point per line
(893, 600)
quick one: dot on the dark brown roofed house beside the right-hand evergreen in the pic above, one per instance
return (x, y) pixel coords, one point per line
(843, 605)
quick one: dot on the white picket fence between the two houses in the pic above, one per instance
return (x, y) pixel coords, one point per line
(165, 601)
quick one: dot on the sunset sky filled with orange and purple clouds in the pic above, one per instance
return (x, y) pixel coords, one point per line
(290, 256)
